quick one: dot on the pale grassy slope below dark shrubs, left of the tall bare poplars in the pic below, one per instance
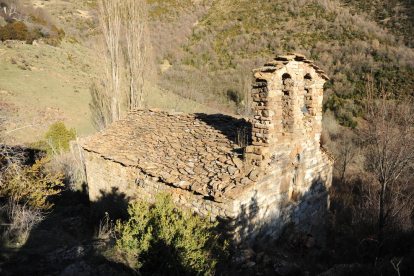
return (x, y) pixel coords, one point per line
(46, 84)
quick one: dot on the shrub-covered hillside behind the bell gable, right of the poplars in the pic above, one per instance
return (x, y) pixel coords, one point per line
(214, 52)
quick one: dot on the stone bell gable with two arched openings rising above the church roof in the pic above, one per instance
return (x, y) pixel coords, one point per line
(287, 104)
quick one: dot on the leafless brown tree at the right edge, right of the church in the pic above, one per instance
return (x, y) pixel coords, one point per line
(389, 138)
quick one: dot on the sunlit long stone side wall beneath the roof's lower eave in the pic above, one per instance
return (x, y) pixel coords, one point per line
(114, 185)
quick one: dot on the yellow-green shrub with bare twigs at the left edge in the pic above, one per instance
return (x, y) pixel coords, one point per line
(24, 191)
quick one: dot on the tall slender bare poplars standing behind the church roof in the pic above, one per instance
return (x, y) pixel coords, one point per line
(126, 53)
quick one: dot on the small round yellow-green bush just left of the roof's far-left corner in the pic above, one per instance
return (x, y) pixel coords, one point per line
(58, 138)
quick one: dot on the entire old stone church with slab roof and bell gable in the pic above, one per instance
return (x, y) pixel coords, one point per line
(254, 176)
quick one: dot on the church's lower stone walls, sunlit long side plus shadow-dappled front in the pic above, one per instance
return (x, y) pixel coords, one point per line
(261, 213)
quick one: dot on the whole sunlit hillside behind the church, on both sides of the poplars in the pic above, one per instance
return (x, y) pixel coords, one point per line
(205, 51)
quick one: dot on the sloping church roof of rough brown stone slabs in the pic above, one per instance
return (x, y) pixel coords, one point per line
(196, 152)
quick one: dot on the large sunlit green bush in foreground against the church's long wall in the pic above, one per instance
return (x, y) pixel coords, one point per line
(163, 240)
